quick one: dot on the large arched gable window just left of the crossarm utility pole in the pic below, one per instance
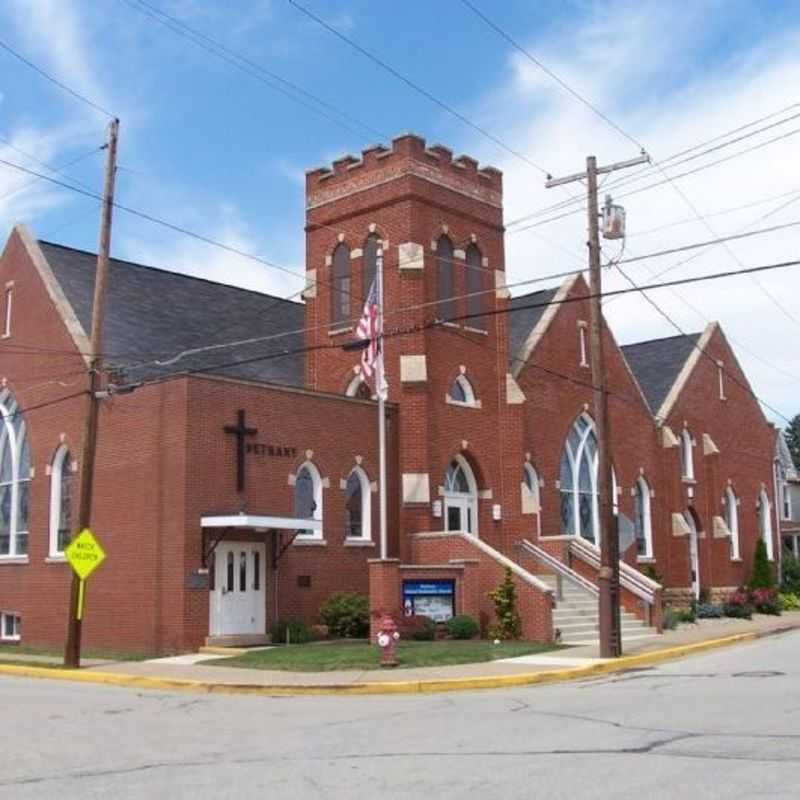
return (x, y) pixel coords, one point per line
(578, 481)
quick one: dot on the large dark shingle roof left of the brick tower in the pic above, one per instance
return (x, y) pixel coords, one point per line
(152, 313)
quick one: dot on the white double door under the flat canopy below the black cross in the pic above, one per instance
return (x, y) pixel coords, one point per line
(238, 604)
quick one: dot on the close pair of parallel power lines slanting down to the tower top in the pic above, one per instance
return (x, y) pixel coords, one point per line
(248, 66)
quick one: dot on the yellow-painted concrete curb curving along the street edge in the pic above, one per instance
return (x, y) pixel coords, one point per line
(392, 687)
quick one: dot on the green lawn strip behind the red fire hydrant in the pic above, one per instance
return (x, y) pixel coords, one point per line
(327, 656)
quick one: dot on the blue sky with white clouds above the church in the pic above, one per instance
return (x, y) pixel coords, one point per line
(215, 150)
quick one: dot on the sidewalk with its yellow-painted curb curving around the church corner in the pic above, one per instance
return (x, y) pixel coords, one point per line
(191, 673)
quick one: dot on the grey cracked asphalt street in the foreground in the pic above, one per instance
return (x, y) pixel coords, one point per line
(721, 725)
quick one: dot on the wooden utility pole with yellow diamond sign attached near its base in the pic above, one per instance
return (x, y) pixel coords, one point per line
(72, 650)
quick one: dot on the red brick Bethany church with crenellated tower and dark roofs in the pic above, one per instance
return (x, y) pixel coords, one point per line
(491, 445)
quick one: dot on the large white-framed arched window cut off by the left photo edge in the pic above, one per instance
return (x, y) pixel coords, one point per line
(15, 474)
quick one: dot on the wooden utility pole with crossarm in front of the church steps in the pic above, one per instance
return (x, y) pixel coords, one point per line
(608, 575)
